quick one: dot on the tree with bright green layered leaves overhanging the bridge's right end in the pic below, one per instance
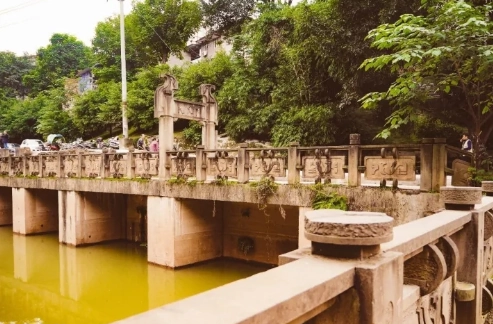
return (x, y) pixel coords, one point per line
(444, 67)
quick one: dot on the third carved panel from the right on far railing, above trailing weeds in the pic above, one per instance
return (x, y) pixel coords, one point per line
(267, 164)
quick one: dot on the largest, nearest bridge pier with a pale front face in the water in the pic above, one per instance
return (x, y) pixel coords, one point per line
(180, 233)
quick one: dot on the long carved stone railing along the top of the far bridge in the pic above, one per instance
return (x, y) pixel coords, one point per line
(293, 164)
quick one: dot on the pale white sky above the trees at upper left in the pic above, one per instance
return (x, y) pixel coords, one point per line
(26, 25)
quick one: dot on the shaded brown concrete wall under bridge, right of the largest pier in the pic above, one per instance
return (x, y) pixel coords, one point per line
(272, 234)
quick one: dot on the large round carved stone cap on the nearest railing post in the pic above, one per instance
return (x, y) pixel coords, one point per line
(333, 226)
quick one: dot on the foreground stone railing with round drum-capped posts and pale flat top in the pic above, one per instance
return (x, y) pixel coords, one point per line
(359, 269)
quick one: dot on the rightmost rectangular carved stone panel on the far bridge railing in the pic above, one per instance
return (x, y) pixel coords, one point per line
(384, 168)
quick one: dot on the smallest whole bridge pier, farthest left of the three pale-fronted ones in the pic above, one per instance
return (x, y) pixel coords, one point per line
(34, 211)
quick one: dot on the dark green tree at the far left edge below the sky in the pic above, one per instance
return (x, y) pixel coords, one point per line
(12, 69)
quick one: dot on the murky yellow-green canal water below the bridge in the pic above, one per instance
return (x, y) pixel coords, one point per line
(42, 281)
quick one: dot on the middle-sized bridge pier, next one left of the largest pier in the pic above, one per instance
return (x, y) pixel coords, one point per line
(87, 217)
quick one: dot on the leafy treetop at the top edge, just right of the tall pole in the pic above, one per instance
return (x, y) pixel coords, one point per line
(163, 27)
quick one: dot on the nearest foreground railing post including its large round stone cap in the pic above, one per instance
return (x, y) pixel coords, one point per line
(358, 235)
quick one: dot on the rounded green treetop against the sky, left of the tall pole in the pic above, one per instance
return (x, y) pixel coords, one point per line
(63, 57)
